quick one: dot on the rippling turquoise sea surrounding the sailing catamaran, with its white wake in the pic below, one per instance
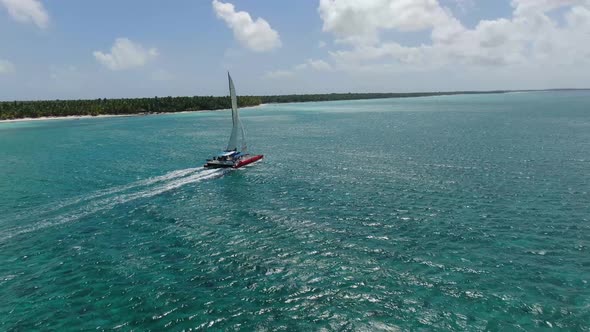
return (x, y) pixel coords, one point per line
(447, 213)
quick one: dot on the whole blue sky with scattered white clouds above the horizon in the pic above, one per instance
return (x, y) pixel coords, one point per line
(63, 49)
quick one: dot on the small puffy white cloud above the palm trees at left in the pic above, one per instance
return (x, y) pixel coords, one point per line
(126, 54)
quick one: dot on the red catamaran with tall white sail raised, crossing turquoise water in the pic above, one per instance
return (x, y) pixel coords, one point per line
(232, 157)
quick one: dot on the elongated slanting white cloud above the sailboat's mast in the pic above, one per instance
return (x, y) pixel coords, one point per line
(255, 35)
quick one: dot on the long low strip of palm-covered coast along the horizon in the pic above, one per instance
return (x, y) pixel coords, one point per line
(17, 111)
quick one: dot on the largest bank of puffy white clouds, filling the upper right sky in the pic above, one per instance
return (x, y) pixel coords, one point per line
(531, 37)
